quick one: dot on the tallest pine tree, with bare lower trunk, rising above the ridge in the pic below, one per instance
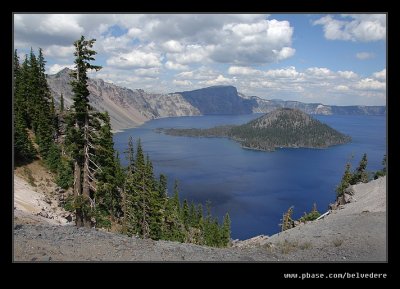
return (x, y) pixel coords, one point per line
(79, 134)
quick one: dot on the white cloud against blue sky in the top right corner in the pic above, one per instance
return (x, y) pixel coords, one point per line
(356, 27)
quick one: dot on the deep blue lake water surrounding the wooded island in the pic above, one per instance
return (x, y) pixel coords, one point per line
(256, 187)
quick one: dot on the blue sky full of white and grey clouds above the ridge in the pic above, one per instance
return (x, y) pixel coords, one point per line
(334, 59)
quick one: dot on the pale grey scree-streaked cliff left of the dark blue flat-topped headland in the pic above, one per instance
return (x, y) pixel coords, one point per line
(127, 108)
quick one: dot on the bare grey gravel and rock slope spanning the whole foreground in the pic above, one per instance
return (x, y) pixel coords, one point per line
(356, 232)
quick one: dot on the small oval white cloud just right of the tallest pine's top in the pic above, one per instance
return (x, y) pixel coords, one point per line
(135, 59)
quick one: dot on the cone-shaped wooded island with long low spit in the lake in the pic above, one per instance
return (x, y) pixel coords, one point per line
(281, 128)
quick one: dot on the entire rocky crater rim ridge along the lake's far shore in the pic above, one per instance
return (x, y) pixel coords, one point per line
(129, 108)
